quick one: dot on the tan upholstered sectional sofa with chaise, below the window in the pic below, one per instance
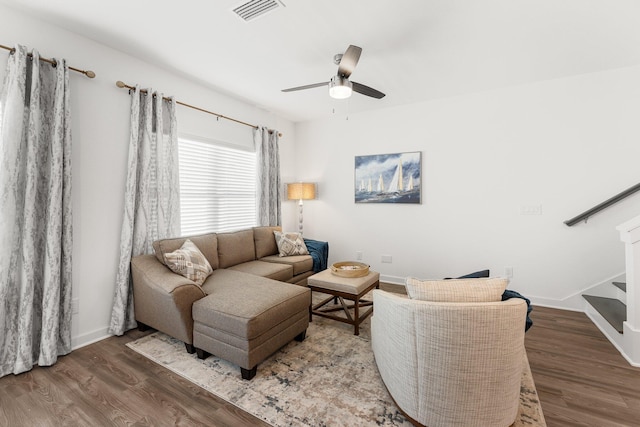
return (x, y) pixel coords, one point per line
(253, 302)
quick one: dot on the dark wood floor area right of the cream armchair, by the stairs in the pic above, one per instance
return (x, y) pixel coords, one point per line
(582, 380)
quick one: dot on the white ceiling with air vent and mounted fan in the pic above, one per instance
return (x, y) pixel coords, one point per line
(413, 50)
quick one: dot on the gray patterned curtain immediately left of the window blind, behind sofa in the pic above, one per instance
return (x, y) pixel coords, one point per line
(152, 194)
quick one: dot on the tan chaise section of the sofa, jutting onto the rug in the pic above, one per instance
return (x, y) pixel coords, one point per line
(245, 318)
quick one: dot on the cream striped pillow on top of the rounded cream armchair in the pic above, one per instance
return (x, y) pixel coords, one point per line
(457, 290)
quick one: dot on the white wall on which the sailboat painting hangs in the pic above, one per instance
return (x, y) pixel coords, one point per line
(564, 144)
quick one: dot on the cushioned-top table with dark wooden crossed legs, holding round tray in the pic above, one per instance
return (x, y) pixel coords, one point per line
(341, 289)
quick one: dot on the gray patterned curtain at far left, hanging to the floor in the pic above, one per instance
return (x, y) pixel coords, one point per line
(35, 213)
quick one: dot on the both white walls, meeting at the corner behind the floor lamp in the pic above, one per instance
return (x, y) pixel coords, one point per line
(565, 144)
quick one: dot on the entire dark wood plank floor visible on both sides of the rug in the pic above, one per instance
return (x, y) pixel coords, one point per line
(581, 379)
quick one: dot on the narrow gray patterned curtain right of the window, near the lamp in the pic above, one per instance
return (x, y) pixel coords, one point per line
(268, 176)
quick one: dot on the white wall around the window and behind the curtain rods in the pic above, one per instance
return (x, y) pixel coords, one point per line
(100, 127)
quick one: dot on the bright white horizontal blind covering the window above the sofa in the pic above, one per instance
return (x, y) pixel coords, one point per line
(217, 187)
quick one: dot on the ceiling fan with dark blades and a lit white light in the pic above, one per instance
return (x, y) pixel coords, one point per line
(340, 87)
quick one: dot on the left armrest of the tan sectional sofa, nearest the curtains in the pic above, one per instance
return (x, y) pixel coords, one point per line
(163, 299)
